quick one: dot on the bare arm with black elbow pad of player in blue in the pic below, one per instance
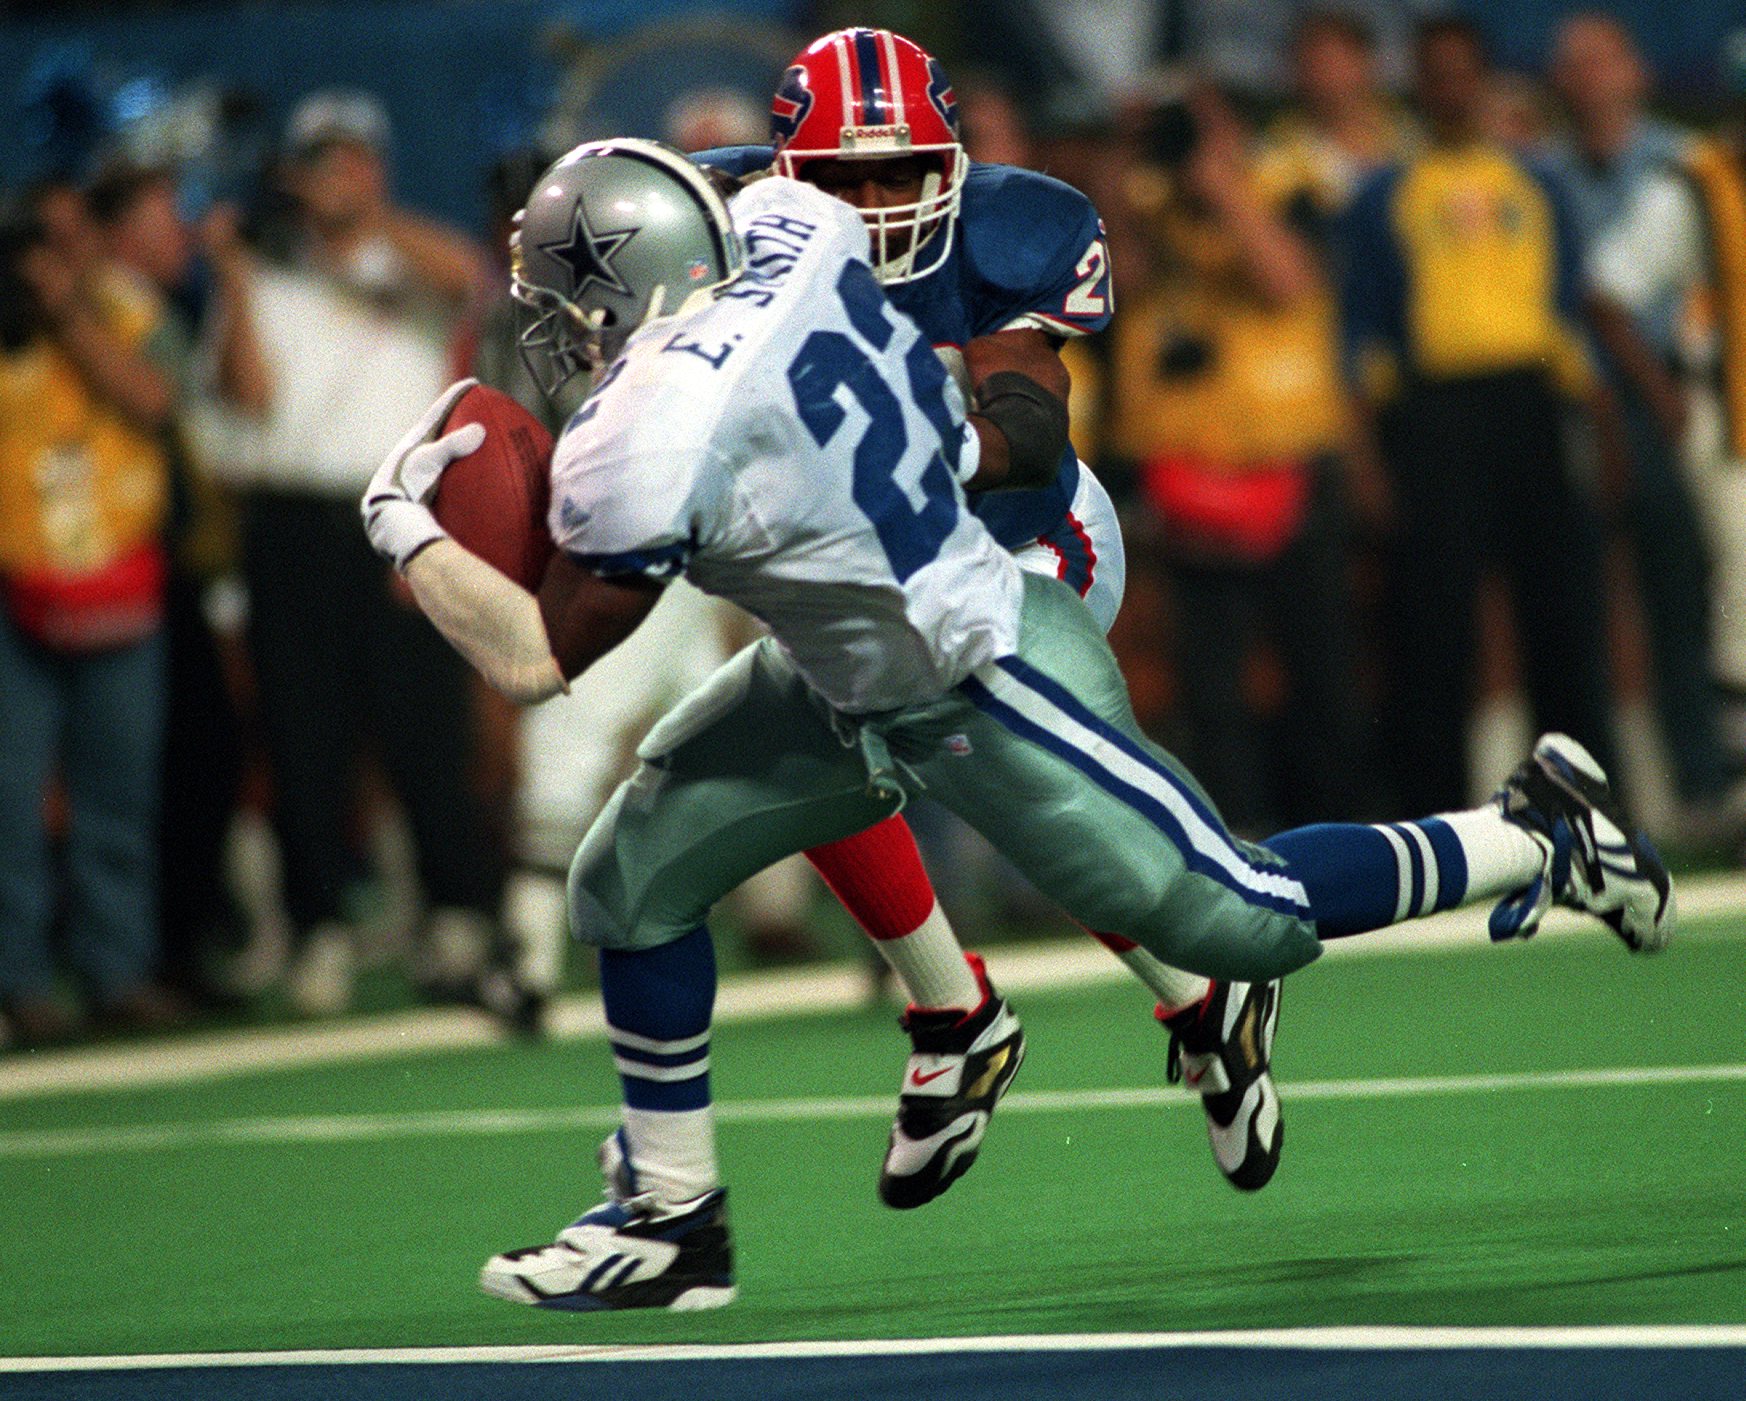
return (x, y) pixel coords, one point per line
(1021, 408)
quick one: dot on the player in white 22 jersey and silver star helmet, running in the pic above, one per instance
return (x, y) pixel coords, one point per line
(769, 427)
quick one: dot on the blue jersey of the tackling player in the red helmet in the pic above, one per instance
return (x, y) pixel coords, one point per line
(1028, 252)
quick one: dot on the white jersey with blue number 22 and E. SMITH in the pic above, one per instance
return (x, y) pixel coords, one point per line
(792, 448)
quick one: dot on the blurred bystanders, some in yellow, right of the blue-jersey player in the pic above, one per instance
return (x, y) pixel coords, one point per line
(1412, 427)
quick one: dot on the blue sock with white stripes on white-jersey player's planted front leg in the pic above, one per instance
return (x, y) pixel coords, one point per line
(659, 1004)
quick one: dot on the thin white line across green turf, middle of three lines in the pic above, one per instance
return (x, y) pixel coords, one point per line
(462, 1122)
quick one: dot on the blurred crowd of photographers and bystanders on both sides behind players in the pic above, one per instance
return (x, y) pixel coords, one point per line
(1427, 413)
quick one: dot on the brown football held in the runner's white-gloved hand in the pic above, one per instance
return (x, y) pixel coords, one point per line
(495, 500)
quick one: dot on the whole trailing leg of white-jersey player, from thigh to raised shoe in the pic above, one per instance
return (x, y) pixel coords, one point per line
(1073, 792)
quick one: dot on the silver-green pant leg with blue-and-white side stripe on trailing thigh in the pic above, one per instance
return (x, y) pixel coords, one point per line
(1043, 756)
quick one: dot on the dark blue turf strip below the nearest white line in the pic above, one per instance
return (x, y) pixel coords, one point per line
(1195, 1374)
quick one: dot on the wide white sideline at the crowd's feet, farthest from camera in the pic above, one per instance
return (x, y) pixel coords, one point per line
(743, 998)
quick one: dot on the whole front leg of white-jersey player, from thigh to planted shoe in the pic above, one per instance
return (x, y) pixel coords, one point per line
(743, 773)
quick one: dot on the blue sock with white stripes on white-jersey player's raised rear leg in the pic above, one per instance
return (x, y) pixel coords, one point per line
(1363, 878)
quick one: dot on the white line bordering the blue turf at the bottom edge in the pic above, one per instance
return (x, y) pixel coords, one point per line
(1310, 1339)
